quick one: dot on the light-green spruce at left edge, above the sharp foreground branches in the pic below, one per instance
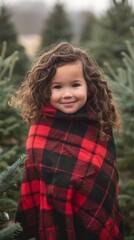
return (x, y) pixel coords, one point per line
(12, 130)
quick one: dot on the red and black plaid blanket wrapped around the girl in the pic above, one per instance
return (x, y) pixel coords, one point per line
(70, 185)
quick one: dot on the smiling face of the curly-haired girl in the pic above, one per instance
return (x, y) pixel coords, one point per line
(69, 88)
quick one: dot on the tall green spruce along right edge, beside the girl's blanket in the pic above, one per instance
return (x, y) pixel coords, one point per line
(122, 82)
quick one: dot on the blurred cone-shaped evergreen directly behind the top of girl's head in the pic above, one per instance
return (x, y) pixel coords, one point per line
(57, 27)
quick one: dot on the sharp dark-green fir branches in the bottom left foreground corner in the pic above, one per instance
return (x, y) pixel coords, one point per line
(8, 182)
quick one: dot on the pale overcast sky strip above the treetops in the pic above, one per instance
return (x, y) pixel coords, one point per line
(98, 6)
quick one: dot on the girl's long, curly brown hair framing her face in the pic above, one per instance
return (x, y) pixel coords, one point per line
(35, 90)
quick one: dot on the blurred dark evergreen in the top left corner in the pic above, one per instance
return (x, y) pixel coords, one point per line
(9, 34)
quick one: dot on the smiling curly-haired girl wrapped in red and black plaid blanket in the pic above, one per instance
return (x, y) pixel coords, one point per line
(70, 185)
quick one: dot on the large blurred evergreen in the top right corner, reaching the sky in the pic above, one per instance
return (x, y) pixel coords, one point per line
(111, 32)
